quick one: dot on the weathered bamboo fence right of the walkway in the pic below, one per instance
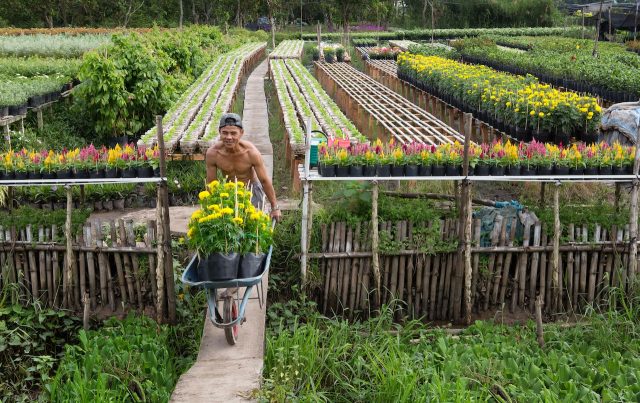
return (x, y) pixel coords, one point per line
(509, 274)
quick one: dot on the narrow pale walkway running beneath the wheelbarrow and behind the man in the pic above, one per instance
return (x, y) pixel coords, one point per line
(225, 373)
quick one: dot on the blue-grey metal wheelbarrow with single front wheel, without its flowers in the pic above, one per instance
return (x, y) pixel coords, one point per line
(232, 314)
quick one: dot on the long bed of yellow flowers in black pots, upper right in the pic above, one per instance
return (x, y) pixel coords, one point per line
(515, 104)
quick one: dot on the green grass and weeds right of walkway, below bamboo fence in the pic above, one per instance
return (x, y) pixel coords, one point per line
(333, 360)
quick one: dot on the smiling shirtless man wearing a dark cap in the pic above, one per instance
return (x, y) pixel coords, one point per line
(240, 159)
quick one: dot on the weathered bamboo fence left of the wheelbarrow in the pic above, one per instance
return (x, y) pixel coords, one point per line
(114, 270)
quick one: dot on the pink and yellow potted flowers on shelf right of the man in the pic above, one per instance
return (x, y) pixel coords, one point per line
(417, 159)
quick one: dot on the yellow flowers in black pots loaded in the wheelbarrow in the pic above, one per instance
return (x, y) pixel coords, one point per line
(225, 228)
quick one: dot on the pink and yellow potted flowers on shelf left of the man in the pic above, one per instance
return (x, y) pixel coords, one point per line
(80, 163)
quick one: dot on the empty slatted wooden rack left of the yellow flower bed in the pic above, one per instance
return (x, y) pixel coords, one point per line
(366, 101)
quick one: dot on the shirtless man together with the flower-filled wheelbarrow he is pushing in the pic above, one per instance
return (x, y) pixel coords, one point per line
(231, 232)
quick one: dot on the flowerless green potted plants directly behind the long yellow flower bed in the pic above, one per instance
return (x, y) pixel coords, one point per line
(565, 62)
